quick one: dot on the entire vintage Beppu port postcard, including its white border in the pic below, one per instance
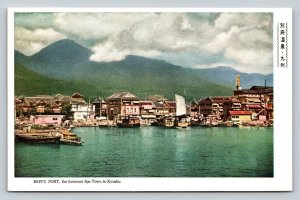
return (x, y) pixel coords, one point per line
(149, 99)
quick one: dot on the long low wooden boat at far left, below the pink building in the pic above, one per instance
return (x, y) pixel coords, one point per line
(51, 137)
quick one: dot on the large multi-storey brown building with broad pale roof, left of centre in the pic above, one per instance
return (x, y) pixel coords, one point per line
(122, 104)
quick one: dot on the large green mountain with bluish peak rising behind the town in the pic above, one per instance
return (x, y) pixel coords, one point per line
(68, 61)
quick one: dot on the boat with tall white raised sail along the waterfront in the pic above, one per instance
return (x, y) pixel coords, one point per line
(181, 119)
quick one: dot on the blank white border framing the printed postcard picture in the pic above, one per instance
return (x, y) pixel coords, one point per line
(282, 180)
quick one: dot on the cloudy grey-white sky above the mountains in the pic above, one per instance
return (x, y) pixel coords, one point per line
(197, 40)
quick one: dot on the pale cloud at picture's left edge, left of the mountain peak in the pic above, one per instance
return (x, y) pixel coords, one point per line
(31, 41)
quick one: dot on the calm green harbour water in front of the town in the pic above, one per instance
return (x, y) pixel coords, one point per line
(152, 152)
